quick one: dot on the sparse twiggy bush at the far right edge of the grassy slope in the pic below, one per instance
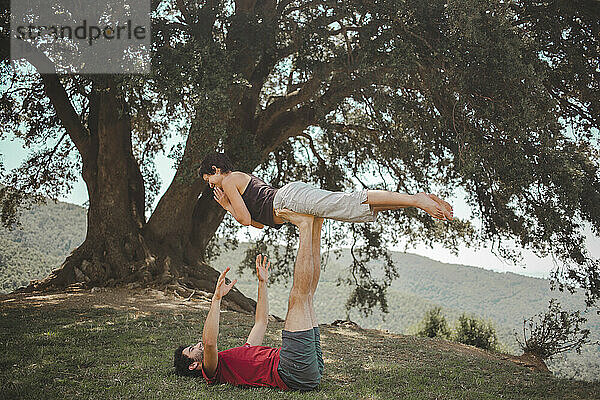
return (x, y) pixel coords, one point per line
(553, 332)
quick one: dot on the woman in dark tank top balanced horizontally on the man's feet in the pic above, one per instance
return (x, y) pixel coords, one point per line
(253, 202)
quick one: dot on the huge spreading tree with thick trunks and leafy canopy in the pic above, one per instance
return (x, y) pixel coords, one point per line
(498, 99)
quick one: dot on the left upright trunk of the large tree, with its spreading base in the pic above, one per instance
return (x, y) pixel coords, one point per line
(114, 249)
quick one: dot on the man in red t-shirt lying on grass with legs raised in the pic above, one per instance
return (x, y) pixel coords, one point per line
(298, 363)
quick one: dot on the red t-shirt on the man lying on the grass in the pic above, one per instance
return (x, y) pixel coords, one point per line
(248, 366)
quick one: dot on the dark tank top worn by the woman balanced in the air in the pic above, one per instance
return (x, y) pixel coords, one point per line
(258, 197)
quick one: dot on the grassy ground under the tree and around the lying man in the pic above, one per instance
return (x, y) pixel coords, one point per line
(115, 344)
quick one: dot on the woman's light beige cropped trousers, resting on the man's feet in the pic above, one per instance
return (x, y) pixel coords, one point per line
(307, 199)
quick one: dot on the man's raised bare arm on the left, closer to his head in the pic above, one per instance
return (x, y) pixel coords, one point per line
(211, 325)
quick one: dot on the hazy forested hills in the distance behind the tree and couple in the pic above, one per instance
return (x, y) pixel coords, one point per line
(50, 232)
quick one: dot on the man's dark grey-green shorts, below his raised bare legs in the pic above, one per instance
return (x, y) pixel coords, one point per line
(300, 359)
